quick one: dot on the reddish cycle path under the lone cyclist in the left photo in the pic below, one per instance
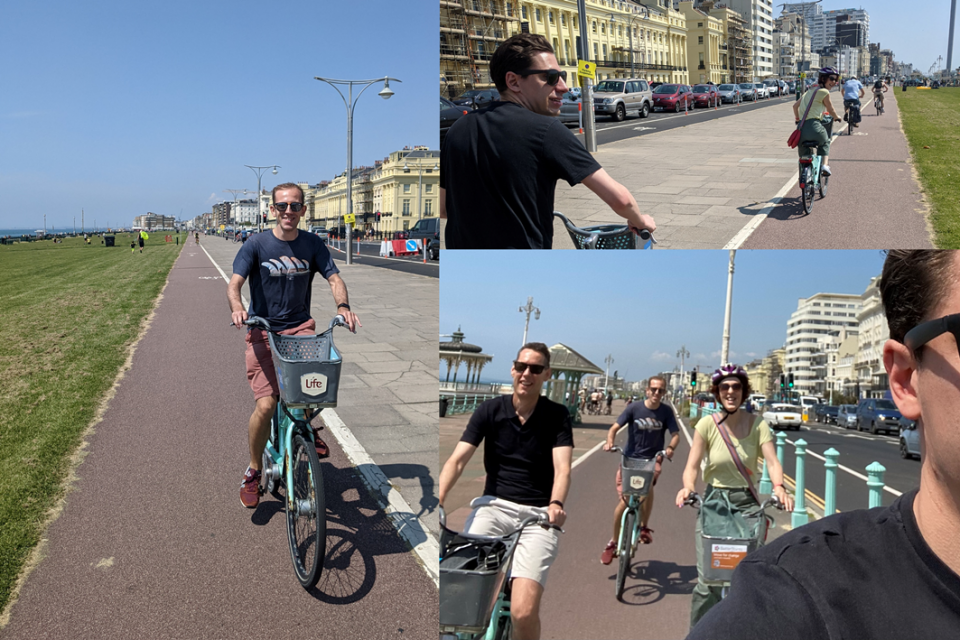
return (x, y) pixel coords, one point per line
(153, 541)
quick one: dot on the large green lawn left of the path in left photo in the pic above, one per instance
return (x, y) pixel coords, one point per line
(68, 312)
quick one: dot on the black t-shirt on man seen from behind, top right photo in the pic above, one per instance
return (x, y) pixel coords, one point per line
(500, 166)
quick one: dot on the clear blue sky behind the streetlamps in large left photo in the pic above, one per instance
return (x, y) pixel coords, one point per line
(124, 108)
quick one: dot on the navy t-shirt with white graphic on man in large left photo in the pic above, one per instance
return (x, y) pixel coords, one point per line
(280, 273)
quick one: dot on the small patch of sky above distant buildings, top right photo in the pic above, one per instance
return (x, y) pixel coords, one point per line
(916, 32)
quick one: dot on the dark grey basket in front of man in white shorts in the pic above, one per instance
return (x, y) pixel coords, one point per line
(471, 577)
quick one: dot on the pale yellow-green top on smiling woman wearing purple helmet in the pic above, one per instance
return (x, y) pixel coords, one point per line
(721, 470)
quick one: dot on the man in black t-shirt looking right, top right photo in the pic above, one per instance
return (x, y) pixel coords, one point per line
(500, 164)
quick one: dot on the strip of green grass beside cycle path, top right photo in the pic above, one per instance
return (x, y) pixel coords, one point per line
(931, 120)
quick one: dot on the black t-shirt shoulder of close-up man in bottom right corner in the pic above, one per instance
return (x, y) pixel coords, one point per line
(860, 575)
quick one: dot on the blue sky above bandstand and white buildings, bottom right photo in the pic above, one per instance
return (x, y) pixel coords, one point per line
(639, 307)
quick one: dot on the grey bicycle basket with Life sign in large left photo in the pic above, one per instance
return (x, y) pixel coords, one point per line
(308, 369)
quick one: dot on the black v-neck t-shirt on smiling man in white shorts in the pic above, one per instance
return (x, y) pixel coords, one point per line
(519, 458)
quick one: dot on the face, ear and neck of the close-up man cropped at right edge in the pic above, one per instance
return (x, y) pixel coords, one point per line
(937, 384)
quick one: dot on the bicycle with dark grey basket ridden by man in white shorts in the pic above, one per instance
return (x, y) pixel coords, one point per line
(475, 582)
